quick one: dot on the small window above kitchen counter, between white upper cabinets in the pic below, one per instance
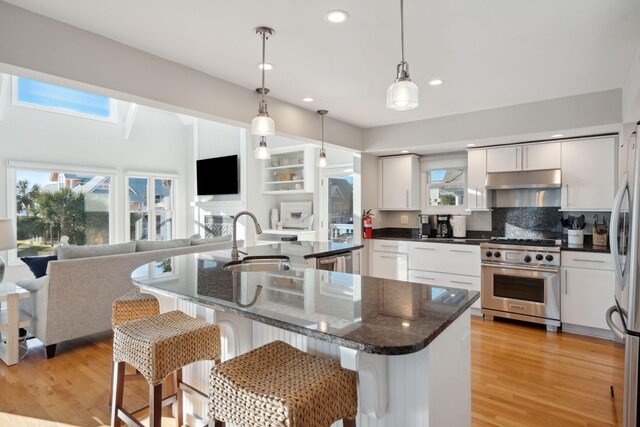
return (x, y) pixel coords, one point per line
(446, 187)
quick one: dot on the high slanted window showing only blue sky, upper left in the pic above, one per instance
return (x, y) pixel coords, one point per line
(50, 97)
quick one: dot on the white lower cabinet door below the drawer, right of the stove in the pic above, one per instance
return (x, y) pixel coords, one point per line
(586, 294)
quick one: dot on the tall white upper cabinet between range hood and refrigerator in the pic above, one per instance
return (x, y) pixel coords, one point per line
(588, 174)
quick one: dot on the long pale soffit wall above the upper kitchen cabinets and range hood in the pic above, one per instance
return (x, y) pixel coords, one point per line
(595, 112)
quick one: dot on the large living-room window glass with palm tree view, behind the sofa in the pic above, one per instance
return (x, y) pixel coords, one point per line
(53, 203)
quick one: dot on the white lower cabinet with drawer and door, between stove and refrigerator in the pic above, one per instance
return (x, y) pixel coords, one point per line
(587, 291)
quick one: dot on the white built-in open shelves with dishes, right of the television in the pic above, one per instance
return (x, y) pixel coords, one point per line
(290, 171)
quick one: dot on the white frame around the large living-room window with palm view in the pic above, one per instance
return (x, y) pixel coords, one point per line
(14, 166)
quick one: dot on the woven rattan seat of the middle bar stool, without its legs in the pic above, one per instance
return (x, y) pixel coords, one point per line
(158, 345)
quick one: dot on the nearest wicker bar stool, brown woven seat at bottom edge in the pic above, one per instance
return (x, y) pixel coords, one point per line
(279, 385)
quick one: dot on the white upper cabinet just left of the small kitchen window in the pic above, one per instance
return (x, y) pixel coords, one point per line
(399, 183)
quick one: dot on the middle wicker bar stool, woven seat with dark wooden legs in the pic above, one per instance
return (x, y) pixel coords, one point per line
(158, 346)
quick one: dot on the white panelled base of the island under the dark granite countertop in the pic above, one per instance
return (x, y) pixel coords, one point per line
(431, 387)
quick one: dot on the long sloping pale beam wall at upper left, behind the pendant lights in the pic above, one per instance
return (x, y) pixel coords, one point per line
(50, 50)
